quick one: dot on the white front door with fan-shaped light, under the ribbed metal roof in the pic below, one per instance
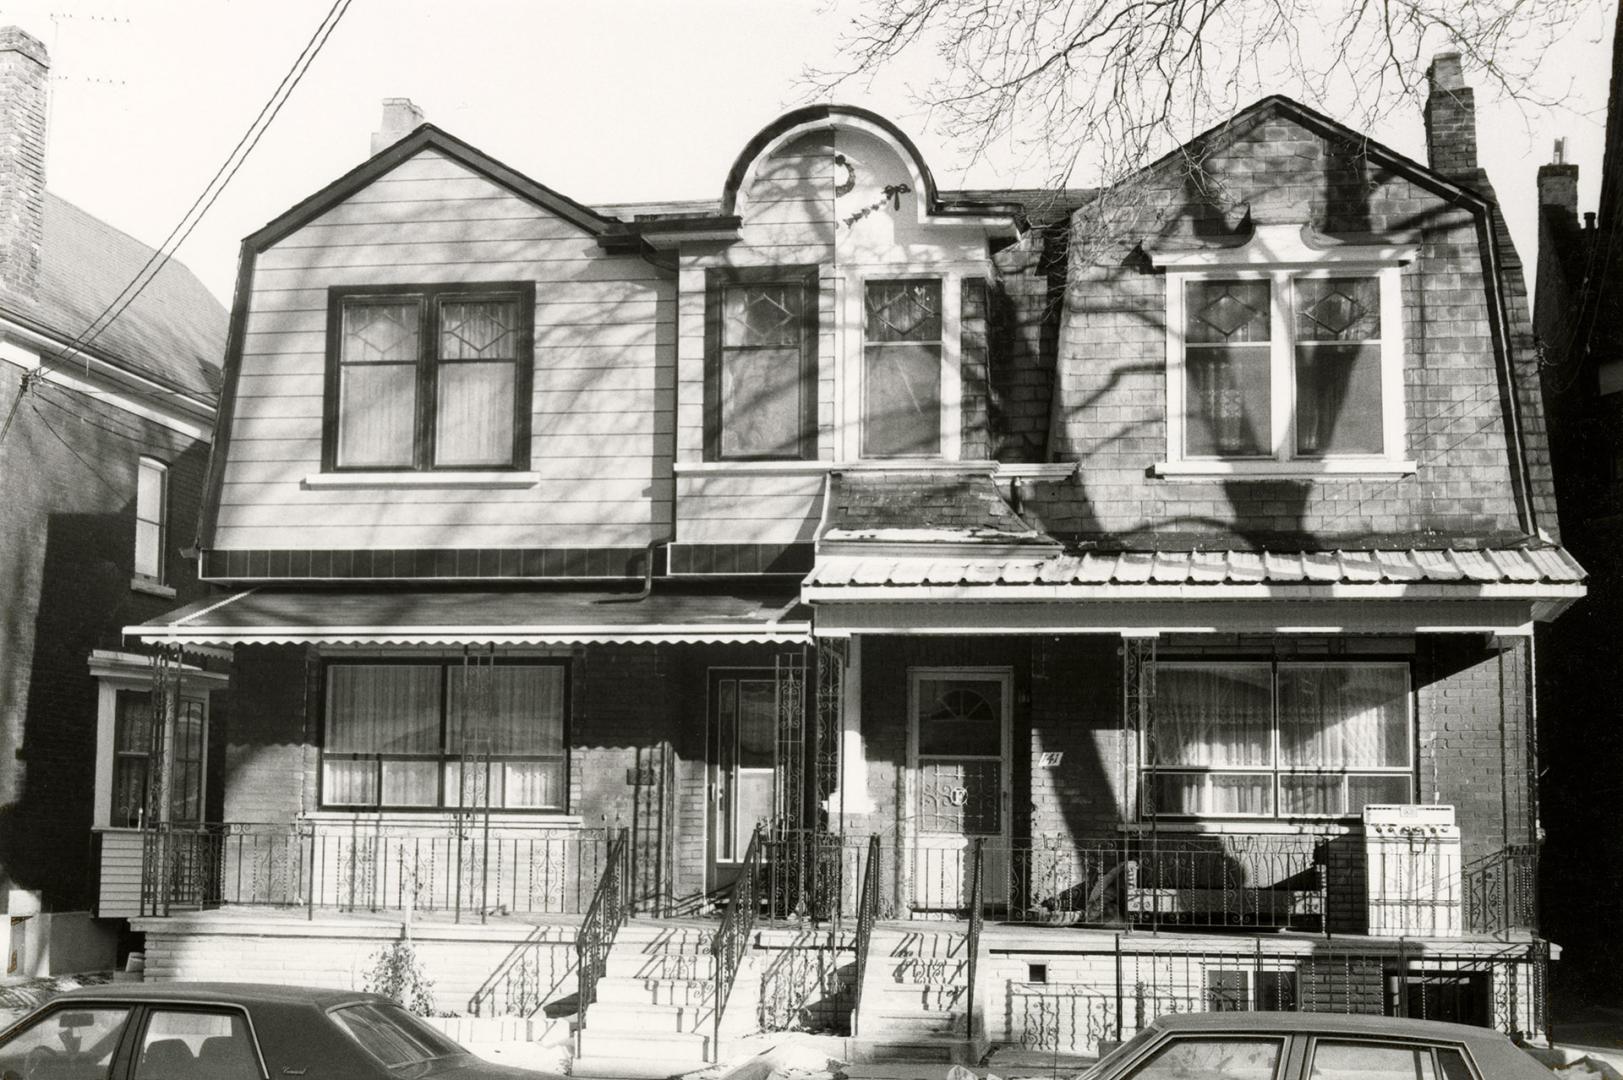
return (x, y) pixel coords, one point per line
(958, 751)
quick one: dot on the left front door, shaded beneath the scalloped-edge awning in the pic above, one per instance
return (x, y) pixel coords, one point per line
(743, 766)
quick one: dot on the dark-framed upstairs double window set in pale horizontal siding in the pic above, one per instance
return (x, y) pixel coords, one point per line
(429, 378)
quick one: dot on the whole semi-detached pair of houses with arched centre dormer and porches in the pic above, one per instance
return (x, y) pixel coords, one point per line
(1160, 564)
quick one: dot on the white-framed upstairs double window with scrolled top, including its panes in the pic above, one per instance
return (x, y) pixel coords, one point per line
(1285, 358)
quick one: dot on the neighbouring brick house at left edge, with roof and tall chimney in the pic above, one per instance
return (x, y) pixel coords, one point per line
(101, 477)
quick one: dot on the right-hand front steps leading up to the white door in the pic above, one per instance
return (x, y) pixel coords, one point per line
(916, 998)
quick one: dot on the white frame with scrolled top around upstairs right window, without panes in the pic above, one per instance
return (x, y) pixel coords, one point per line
(1281, 256)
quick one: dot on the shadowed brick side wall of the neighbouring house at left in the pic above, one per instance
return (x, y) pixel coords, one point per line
(67, 480)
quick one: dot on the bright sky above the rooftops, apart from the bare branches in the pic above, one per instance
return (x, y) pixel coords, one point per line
(603, 102)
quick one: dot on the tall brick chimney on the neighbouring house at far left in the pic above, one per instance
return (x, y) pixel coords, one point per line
(25, 93)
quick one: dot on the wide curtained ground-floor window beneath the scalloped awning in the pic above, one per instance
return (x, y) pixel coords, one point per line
(446, 735)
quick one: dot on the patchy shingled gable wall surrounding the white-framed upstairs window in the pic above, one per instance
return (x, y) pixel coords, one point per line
(1111, 408)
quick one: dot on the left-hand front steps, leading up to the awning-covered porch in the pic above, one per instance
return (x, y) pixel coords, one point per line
(653, 1016)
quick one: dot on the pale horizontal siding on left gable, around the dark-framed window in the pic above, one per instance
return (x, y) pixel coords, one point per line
(605, 386)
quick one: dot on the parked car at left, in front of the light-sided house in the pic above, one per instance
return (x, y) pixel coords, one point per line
(231, 1032)
